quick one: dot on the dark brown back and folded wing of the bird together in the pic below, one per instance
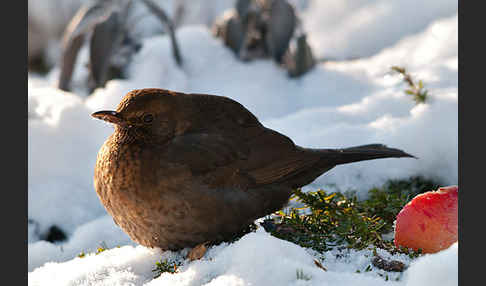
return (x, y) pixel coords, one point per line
(224, 134)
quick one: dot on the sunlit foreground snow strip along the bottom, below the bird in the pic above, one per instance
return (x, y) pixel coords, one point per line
(256, 259)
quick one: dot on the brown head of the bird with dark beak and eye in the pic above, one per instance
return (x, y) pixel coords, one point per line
(145, 114)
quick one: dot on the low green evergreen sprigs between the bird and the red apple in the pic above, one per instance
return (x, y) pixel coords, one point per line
(327, 221)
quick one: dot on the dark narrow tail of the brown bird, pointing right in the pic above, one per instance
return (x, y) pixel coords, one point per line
(362, 153)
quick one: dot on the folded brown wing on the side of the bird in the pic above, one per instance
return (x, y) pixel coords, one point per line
(267, 158)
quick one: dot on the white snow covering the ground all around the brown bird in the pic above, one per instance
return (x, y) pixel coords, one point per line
(338, 104)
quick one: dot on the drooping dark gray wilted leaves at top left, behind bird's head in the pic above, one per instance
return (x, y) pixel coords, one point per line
(111, 47)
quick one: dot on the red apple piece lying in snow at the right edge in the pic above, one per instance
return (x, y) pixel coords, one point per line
(428, 221)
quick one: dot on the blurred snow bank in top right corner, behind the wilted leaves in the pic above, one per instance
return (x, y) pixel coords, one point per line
(336, 28)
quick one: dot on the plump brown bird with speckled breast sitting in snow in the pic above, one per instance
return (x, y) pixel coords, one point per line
(184, 169)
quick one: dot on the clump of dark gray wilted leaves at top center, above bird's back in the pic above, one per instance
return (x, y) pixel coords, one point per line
(264, 29)
